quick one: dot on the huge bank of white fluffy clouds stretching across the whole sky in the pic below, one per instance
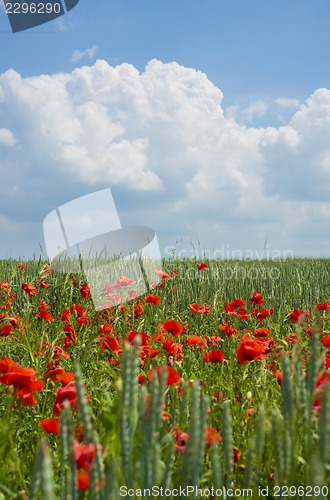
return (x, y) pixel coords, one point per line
(178, 162)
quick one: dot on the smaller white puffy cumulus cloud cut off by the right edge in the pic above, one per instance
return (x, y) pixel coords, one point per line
(297, 155)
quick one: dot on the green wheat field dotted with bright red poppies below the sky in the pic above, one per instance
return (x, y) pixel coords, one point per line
(215, 384)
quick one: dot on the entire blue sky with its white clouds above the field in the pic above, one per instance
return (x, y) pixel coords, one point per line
(208, 119)
